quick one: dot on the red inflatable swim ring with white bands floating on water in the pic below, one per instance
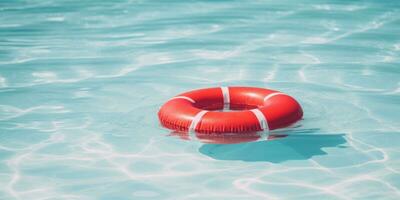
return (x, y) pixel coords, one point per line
(255, 109)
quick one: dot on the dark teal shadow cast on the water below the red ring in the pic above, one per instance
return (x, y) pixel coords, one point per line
(292, 147)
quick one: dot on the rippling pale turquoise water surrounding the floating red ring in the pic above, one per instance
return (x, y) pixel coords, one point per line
(81, 83)
